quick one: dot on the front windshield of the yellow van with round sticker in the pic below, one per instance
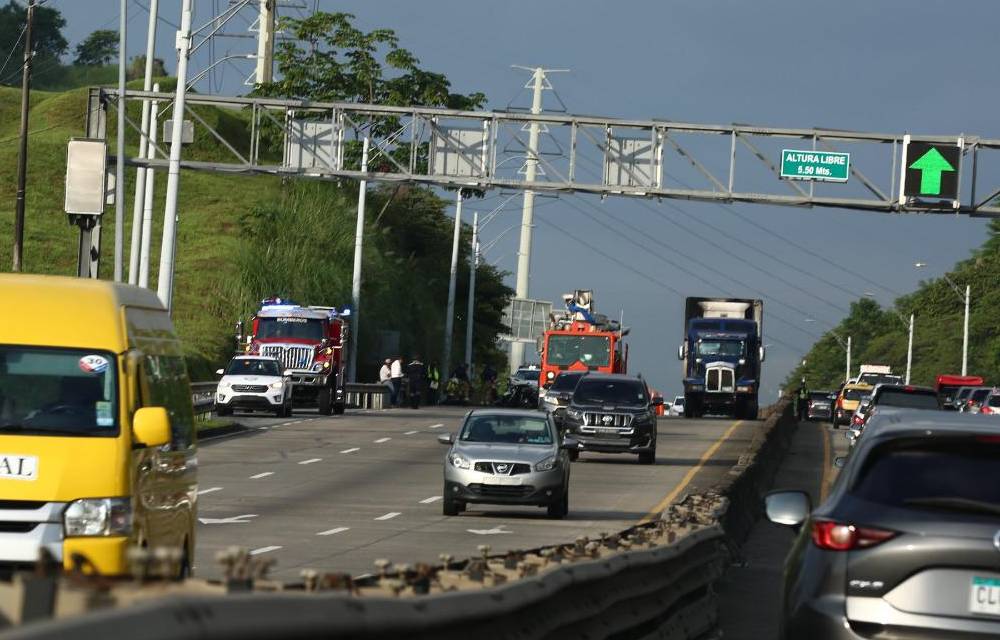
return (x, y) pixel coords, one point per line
(65, 392)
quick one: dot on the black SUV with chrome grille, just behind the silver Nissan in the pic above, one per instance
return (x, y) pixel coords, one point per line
(613, 414)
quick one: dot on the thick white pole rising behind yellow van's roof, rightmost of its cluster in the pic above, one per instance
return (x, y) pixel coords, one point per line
(165, 286)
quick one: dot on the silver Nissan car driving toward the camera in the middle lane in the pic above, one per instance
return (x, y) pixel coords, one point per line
(507, 456)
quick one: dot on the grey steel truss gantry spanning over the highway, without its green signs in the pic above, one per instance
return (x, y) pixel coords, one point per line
(484, 150)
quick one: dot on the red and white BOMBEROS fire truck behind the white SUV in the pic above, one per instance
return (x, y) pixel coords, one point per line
(311, 344)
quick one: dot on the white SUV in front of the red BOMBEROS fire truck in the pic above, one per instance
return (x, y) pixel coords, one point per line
(254, 383)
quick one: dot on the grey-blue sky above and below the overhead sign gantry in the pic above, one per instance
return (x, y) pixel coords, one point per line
(891, 66)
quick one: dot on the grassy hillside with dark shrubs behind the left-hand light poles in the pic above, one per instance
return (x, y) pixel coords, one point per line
(241, 238)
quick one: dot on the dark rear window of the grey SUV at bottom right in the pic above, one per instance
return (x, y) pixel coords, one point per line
(923, 472)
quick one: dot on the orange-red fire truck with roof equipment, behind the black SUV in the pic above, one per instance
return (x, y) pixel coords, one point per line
(581, 340)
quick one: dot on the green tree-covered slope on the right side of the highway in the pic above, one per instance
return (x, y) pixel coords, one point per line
(880, 336)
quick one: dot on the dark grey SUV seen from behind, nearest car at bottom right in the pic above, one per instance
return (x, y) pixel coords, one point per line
(907, 544)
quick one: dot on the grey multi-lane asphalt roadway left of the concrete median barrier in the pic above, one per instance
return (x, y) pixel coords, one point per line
(336, 493)
